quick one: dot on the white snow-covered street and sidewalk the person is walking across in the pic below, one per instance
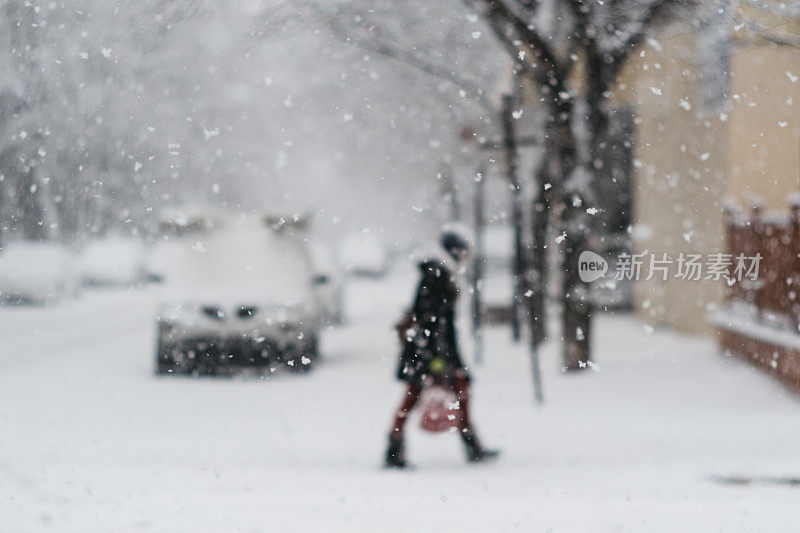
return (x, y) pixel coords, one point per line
(91, 440)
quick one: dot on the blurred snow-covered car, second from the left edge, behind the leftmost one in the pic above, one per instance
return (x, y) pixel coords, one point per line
(113, 262)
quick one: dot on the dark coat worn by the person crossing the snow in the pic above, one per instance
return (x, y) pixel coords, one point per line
(430, 348)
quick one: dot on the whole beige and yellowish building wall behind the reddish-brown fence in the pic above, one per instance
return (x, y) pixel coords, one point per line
(688, 163)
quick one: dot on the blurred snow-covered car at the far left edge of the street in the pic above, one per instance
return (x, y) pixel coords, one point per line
(36, 273)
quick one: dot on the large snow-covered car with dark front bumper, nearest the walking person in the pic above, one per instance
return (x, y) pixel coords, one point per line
(238, 297)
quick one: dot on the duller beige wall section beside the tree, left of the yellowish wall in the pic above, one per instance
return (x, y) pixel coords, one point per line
(679, 180)
